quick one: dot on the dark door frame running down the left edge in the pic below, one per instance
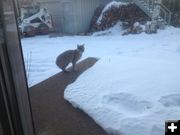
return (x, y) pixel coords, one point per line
(15, 101)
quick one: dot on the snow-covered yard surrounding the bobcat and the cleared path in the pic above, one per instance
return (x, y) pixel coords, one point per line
(132, 89)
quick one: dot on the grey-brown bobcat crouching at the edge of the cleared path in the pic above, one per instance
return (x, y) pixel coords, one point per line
(69, 56)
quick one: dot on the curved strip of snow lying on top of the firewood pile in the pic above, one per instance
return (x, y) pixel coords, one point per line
(108, 6)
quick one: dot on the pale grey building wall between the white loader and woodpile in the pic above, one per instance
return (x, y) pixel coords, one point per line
(71, 16)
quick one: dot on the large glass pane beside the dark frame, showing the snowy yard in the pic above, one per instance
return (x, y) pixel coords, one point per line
(128, 72)
